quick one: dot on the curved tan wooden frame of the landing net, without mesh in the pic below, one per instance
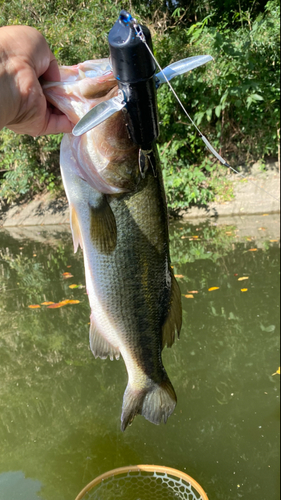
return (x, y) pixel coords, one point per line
(143, 468)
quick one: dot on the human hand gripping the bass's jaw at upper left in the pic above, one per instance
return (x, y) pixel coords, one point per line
(24, 57)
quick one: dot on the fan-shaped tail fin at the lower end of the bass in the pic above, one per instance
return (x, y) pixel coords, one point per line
(153, 403)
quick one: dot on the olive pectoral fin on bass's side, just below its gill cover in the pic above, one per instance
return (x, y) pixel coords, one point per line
(103, 226)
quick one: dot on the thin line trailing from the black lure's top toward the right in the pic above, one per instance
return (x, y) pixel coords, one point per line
(140, 34)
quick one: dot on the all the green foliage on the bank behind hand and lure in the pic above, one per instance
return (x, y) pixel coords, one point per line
(234, 100)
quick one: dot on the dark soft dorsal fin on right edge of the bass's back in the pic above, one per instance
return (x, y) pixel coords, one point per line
(174, 318)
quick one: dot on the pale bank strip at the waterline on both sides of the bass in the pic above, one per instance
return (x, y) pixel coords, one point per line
(256, 194)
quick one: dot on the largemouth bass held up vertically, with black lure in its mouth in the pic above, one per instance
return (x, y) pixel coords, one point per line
(118, 217)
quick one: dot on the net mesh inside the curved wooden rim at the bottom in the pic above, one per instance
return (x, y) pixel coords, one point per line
(142, 485)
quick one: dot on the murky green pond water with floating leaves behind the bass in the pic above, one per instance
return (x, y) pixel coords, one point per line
(60, 408)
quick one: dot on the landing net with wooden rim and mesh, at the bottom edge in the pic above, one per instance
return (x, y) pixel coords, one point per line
(143, 482)
